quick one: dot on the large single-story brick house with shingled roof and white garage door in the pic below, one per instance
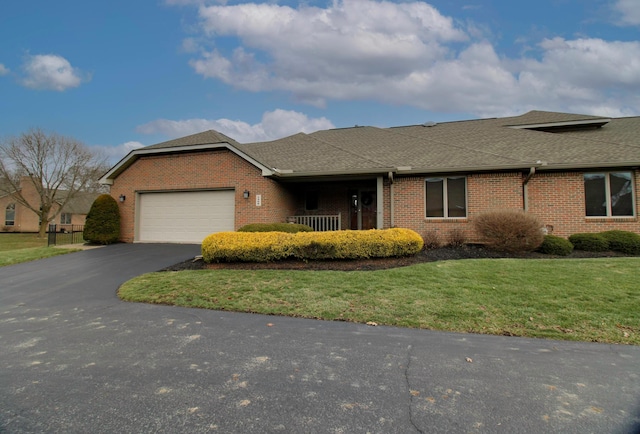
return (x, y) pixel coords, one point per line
(577, 173)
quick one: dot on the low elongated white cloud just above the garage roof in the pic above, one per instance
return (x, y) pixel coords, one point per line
(274, 125)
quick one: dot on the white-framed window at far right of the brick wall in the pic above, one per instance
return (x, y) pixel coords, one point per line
(608, 194)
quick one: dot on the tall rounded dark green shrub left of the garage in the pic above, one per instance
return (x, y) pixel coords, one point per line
(102, 225)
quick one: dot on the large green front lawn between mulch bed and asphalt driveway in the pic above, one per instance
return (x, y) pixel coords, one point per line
(594, 300)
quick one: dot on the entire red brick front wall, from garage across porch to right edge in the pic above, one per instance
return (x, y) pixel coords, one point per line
(557, 198)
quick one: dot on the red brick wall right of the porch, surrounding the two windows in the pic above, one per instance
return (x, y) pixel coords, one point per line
(556, 198)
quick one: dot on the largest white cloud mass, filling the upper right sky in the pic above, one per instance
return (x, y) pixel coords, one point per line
(410, 54)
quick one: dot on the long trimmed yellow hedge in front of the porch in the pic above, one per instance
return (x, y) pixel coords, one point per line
(272, 246)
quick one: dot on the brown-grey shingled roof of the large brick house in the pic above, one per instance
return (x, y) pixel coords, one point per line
(546, 140)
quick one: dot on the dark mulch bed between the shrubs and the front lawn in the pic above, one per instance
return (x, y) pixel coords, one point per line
(431, 255)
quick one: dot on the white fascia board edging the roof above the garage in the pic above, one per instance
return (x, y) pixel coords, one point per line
(131, 157)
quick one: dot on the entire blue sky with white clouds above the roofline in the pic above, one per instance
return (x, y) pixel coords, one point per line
(120, 74)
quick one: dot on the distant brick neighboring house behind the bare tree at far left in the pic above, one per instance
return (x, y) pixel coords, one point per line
(18, 218)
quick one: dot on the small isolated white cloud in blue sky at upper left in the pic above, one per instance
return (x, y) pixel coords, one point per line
(51, 72)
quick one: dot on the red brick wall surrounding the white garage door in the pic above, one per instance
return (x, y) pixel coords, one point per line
(218, 169)
